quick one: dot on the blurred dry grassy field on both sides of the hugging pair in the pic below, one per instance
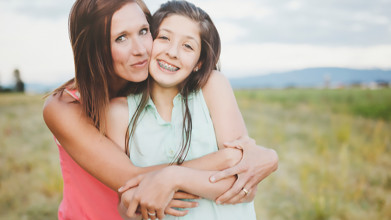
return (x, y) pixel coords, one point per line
(334, 148)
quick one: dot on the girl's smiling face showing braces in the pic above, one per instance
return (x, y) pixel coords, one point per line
(176, 51)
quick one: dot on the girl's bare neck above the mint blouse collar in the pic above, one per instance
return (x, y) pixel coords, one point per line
(163, 99)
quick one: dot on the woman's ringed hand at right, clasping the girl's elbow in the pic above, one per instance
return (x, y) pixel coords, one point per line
(257, 163)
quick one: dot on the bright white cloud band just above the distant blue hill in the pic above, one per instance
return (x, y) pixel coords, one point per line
(239, 60)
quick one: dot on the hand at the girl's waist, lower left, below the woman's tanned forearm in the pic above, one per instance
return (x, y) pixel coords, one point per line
(154, 193)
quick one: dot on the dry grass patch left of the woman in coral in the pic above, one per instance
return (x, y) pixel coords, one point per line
(30, 176)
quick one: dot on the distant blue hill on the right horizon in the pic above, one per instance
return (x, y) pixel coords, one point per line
(312, 77)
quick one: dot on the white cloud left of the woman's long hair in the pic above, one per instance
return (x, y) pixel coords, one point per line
(40, 48)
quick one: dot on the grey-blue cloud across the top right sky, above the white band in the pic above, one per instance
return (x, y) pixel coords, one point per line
(334, 23)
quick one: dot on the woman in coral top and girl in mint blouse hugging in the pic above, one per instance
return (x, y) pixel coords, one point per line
(149, 128)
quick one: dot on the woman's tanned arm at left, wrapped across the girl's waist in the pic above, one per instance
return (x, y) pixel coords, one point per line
(110, 164)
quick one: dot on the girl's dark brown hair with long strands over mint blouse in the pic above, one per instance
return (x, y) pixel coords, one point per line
(209, 57)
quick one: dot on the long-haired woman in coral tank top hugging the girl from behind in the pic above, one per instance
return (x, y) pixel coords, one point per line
(79, 125)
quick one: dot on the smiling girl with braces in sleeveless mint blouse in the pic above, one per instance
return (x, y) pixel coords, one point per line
(172, 115)
